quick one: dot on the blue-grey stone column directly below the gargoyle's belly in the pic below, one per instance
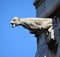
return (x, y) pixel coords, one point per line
(42, 48)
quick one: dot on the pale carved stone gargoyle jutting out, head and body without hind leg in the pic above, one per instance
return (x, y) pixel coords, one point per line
(34, 25)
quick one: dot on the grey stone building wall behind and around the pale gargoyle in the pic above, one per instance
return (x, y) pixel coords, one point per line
(48, 9)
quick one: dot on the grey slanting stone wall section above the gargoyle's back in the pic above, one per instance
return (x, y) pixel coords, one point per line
(46, 7)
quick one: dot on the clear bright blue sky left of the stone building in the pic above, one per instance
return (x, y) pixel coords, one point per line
(16, 42)
